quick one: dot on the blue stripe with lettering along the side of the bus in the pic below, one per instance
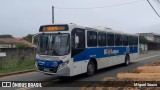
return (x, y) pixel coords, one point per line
(88, 53)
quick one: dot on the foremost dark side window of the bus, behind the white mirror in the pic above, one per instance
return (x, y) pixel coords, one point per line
(81, 34)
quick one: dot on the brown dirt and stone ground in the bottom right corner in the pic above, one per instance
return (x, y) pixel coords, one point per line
(127, 81)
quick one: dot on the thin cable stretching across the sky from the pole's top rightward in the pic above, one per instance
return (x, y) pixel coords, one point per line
(104, 6)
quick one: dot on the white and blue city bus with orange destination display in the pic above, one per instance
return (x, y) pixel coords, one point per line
(70, 49)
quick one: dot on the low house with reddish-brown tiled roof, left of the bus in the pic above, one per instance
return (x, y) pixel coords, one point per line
(11, 42)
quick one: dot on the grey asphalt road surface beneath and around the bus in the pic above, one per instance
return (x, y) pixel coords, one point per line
(107, 72)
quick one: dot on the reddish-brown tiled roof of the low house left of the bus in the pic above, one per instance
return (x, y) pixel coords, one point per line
(16, 41)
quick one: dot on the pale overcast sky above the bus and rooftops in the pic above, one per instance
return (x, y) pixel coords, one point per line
(22, 17)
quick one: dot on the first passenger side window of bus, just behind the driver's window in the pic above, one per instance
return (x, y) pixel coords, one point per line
(91, 39)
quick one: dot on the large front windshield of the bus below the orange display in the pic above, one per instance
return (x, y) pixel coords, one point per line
(56, 44)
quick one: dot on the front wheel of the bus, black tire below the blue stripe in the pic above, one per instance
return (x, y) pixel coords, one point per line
(91, 68)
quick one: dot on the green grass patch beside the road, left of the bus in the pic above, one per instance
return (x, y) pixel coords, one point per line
(12, 65)
